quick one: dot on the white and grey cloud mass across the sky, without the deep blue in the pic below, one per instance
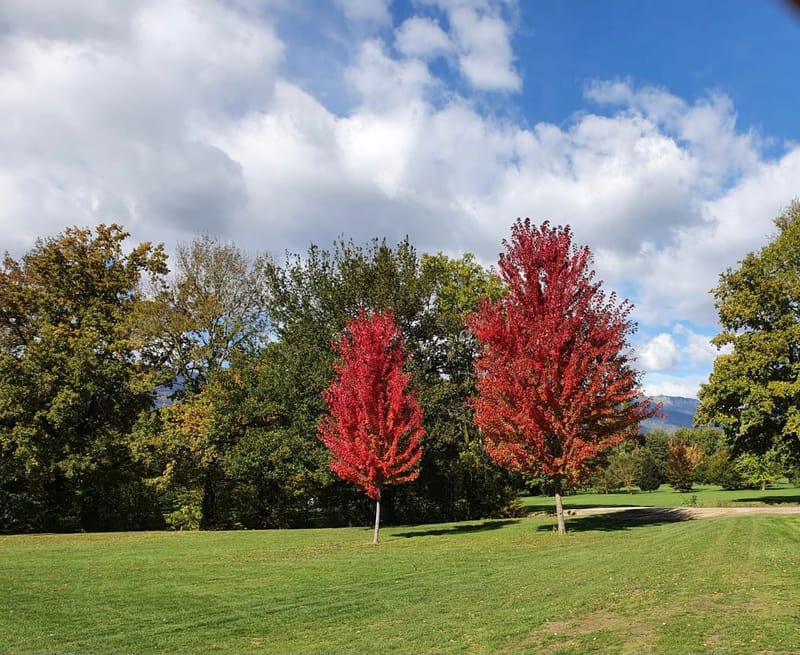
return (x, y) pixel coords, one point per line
(180, 116)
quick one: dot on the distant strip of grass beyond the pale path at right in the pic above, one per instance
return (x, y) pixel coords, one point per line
(700, 496)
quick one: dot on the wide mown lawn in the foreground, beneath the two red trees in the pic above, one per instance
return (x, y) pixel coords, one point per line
(727, 585)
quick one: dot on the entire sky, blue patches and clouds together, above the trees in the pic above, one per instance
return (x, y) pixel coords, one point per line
(665, 133)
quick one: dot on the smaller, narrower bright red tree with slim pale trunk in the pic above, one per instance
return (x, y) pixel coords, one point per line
(374, 424)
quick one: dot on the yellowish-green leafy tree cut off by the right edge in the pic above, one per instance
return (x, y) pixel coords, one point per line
(753, 393)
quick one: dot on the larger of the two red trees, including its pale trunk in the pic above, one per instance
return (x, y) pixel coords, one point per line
(555, 383)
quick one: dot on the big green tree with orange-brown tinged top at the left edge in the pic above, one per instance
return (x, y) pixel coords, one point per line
(71, 380)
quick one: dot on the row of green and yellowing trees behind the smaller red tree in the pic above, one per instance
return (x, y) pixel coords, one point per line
(133, 396)
